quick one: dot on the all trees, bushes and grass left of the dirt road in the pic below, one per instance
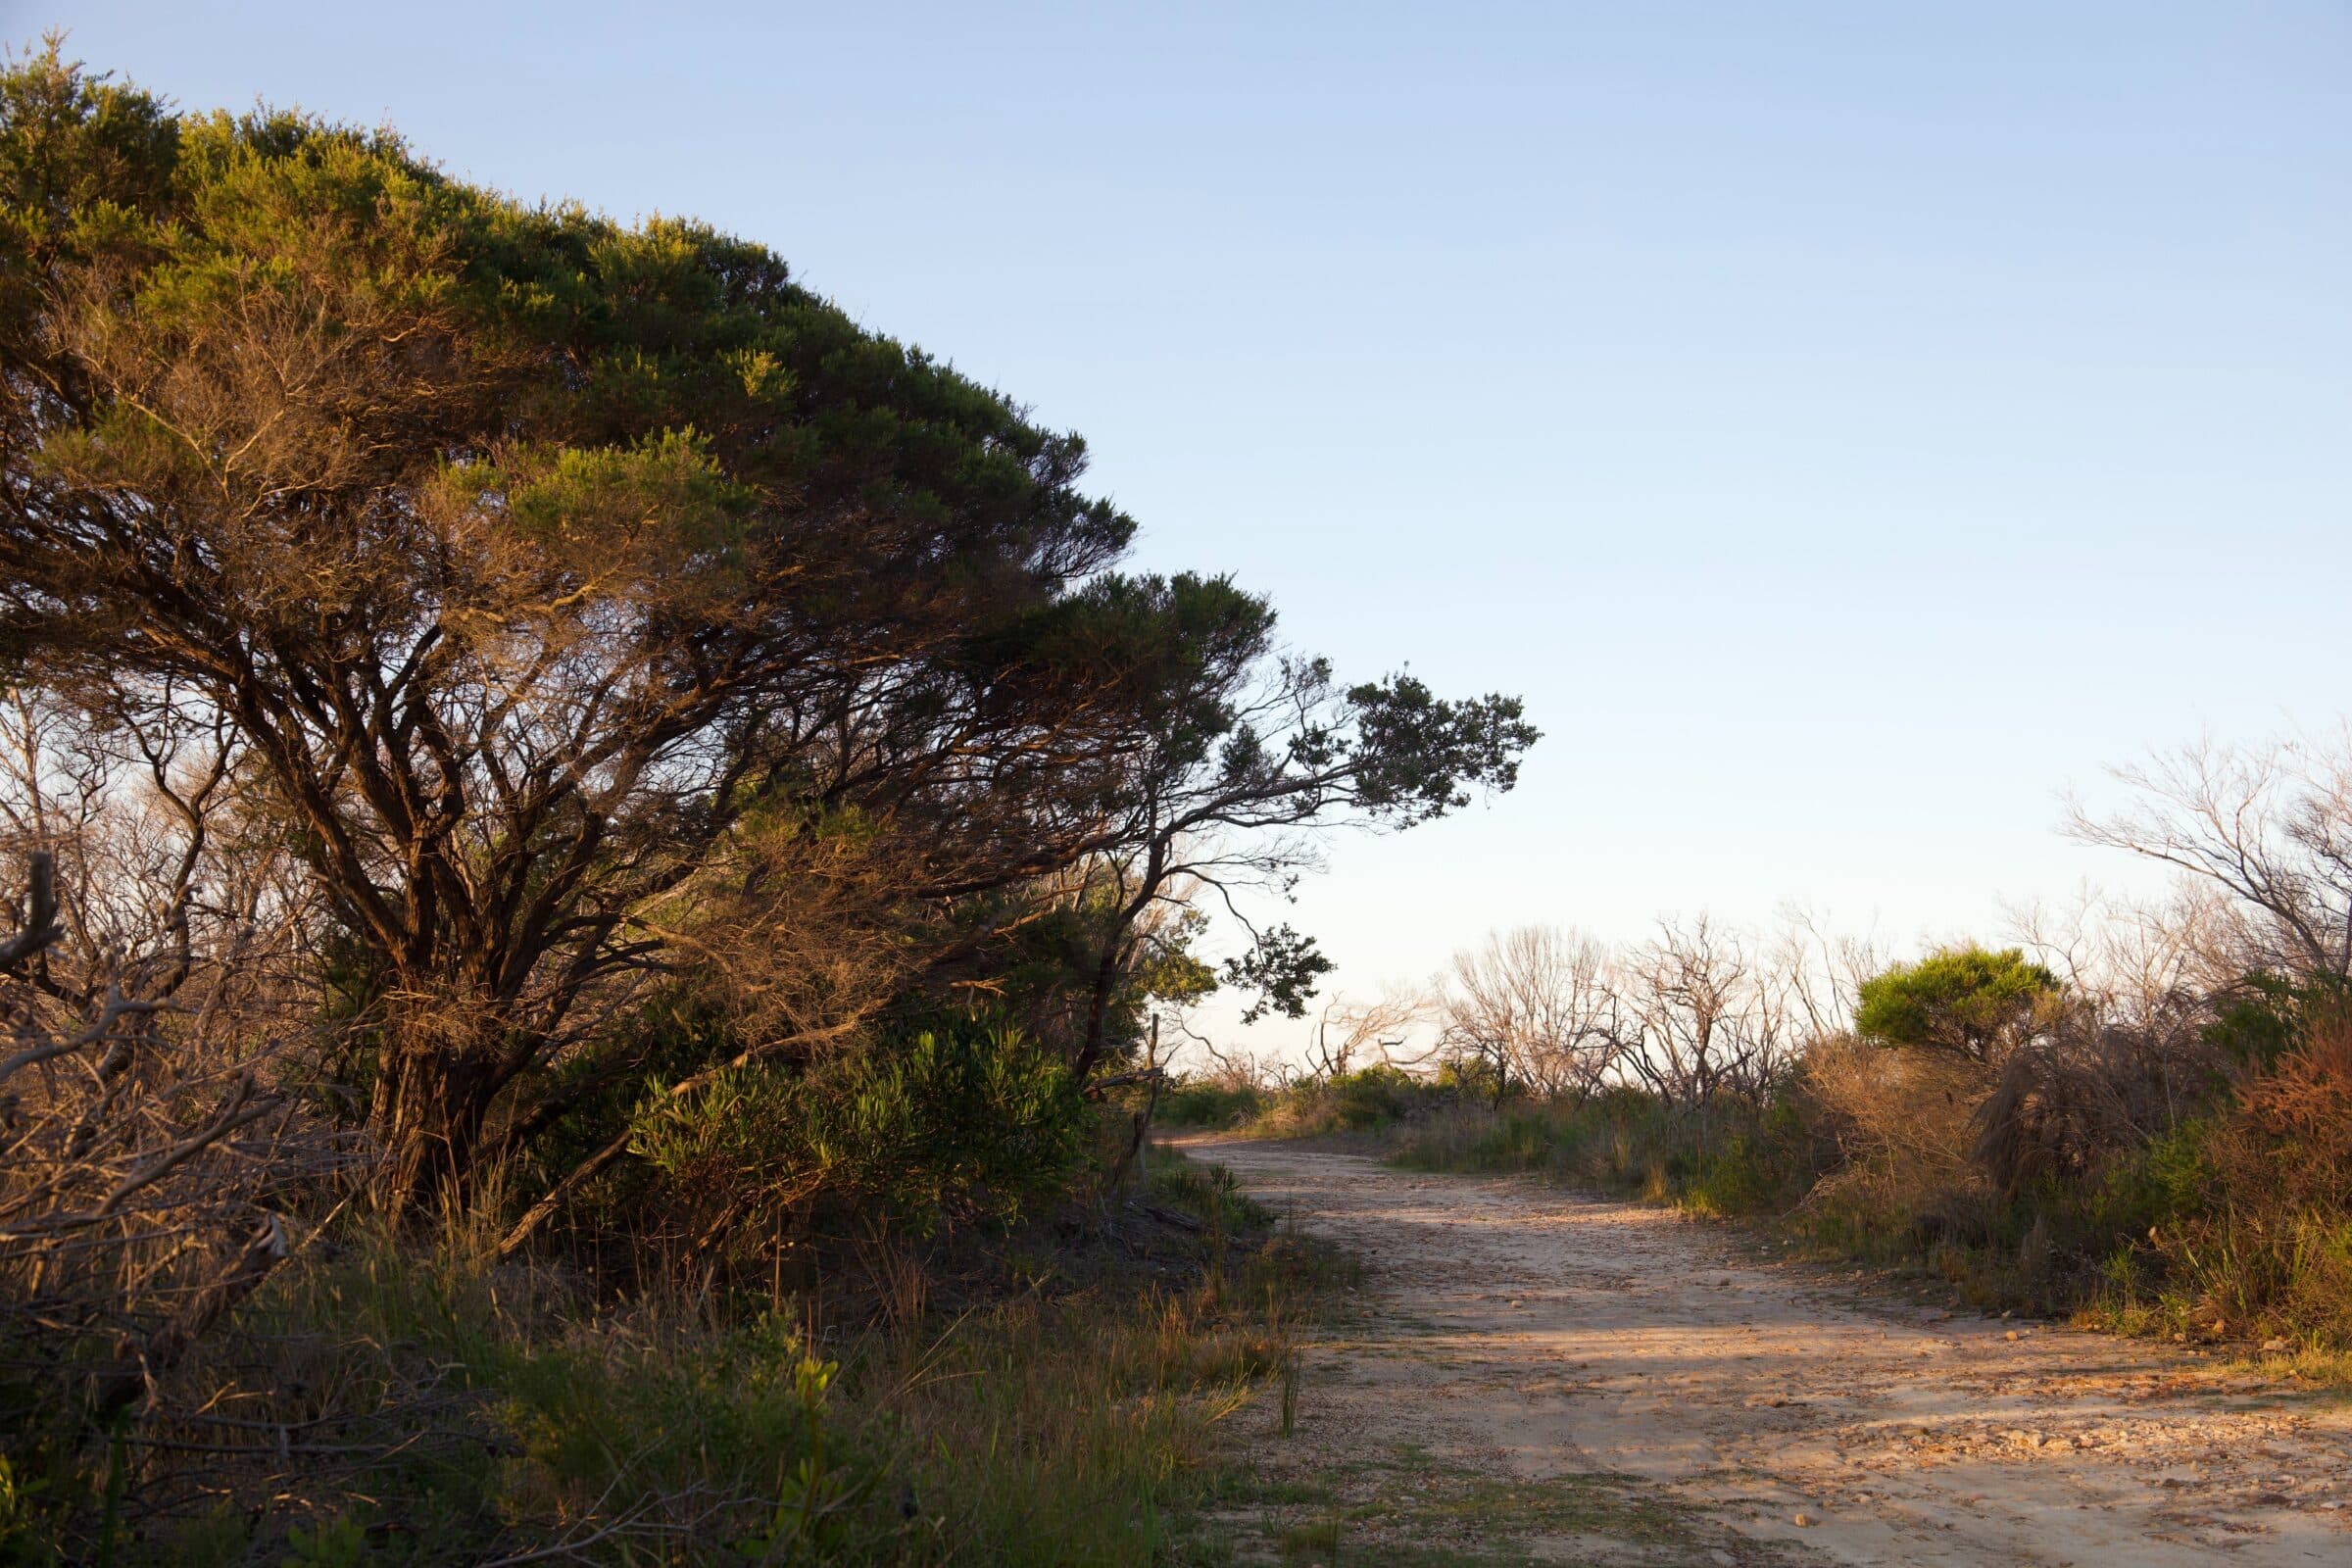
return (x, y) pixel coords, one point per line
(599, 859)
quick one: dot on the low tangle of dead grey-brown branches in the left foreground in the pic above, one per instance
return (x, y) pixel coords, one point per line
(145, 1170)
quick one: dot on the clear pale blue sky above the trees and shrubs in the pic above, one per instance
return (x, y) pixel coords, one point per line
(1845, 424)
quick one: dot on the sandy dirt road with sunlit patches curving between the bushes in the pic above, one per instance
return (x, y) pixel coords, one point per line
(1535, 1376)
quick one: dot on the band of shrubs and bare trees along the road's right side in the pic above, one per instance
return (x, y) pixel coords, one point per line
(2137, 1115)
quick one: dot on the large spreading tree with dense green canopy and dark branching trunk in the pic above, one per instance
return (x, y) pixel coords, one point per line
(570, 584)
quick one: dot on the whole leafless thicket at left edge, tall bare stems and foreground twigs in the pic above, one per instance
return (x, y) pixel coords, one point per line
(156, 1137)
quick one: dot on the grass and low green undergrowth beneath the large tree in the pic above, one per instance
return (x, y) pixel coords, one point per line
(401, 1402)
